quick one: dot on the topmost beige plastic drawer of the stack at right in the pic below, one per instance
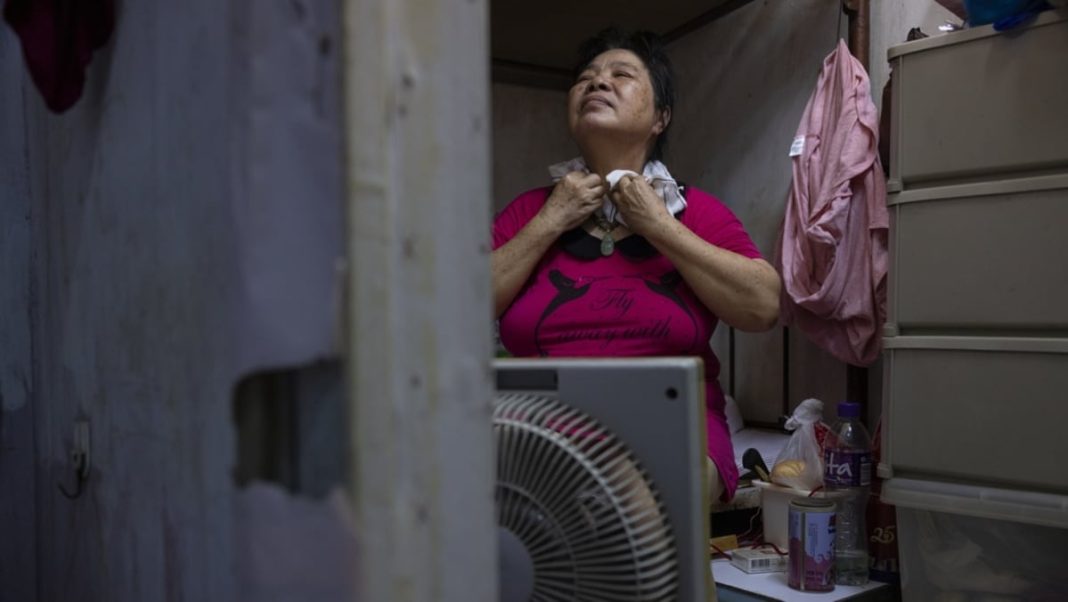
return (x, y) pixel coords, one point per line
(977, 103)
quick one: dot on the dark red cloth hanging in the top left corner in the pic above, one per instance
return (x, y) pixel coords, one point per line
(59, 38)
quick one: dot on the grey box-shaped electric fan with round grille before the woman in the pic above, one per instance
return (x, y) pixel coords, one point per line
(600, 481)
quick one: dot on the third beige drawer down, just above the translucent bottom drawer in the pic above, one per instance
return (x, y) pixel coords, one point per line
(984, 410)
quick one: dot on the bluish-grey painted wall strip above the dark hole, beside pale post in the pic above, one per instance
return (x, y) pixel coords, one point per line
(287, 176)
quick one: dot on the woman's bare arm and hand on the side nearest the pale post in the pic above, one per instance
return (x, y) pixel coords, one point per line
(574, 199)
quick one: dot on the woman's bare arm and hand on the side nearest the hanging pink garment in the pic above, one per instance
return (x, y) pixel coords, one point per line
(744, 293)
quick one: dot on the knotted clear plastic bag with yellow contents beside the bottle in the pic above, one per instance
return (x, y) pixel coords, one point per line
(800, 465)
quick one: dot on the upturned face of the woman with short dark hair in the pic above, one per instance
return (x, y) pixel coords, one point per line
(614, 97)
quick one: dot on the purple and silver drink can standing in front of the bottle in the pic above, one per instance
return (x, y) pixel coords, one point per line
(811, 566)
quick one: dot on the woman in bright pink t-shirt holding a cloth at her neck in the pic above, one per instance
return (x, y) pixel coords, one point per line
(640, 268)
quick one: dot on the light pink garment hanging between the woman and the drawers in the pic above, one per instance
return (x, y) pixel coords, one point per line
(834, 247)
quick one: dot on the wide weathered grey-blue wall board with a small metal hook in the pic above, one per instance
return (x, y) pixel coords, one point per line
(131, 236)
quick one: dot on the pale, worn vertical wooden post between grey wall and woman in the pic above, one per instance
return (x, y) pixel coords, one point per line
(418, 309)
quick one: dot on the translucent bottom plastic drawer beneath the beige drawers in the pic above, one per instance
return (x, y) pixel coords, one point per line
(966, 543)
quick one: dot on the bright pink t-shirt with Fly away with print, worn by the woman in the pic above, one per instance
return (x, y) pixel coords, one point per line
(578, 304)
